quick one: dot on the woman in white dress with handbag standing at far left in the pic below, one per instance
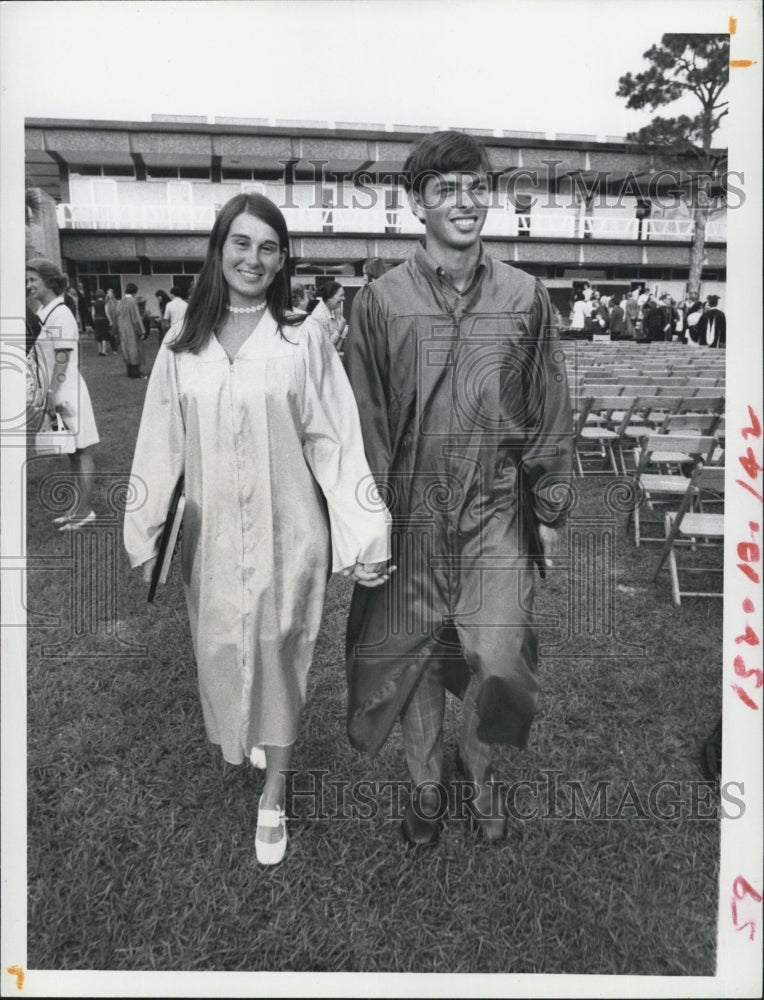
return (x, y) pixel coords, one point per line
(56, 356)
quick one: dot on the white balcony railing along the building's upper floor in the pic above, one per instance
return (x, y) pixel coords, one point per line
(379, 221)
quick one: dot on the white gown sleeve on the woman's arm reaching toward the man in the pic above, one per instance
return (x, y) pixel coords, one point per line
(333, 448)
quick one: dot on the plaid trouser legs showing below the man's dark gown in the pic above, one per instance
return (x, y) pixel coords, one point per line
(422, 731)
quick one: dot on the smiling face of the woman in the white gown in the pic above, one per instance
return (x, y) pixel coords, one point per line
(251, 258)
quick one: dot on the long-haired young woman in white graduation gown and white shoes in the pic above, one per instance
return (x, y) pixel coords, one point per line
(252, 406)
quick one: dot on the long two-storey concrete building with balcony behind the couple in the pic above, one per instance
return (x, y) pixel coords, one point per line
(135, 201)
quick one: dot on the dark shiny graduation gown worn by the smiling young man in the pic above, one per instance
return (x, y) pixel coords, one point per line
(467, 423)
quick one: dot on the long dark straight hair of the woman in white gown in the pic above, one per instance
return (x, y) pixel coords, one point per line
(209, 300)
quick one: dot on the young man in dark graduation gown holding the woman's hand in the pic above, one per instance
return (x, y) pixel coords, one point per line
(460, 382)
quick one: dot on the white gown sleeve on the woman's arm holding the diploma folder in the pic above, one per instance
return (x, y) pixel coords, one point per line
(159, 459)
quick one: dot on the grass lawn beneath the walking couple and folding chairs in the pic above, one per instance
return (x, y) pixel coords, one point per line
(141, 839)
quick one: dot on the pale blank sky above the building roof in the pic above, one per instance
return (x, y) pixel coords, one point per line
(539, 65)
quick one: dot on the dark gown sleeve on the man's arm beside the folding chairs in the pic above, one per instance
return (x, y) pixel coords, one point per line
(548, 453)
